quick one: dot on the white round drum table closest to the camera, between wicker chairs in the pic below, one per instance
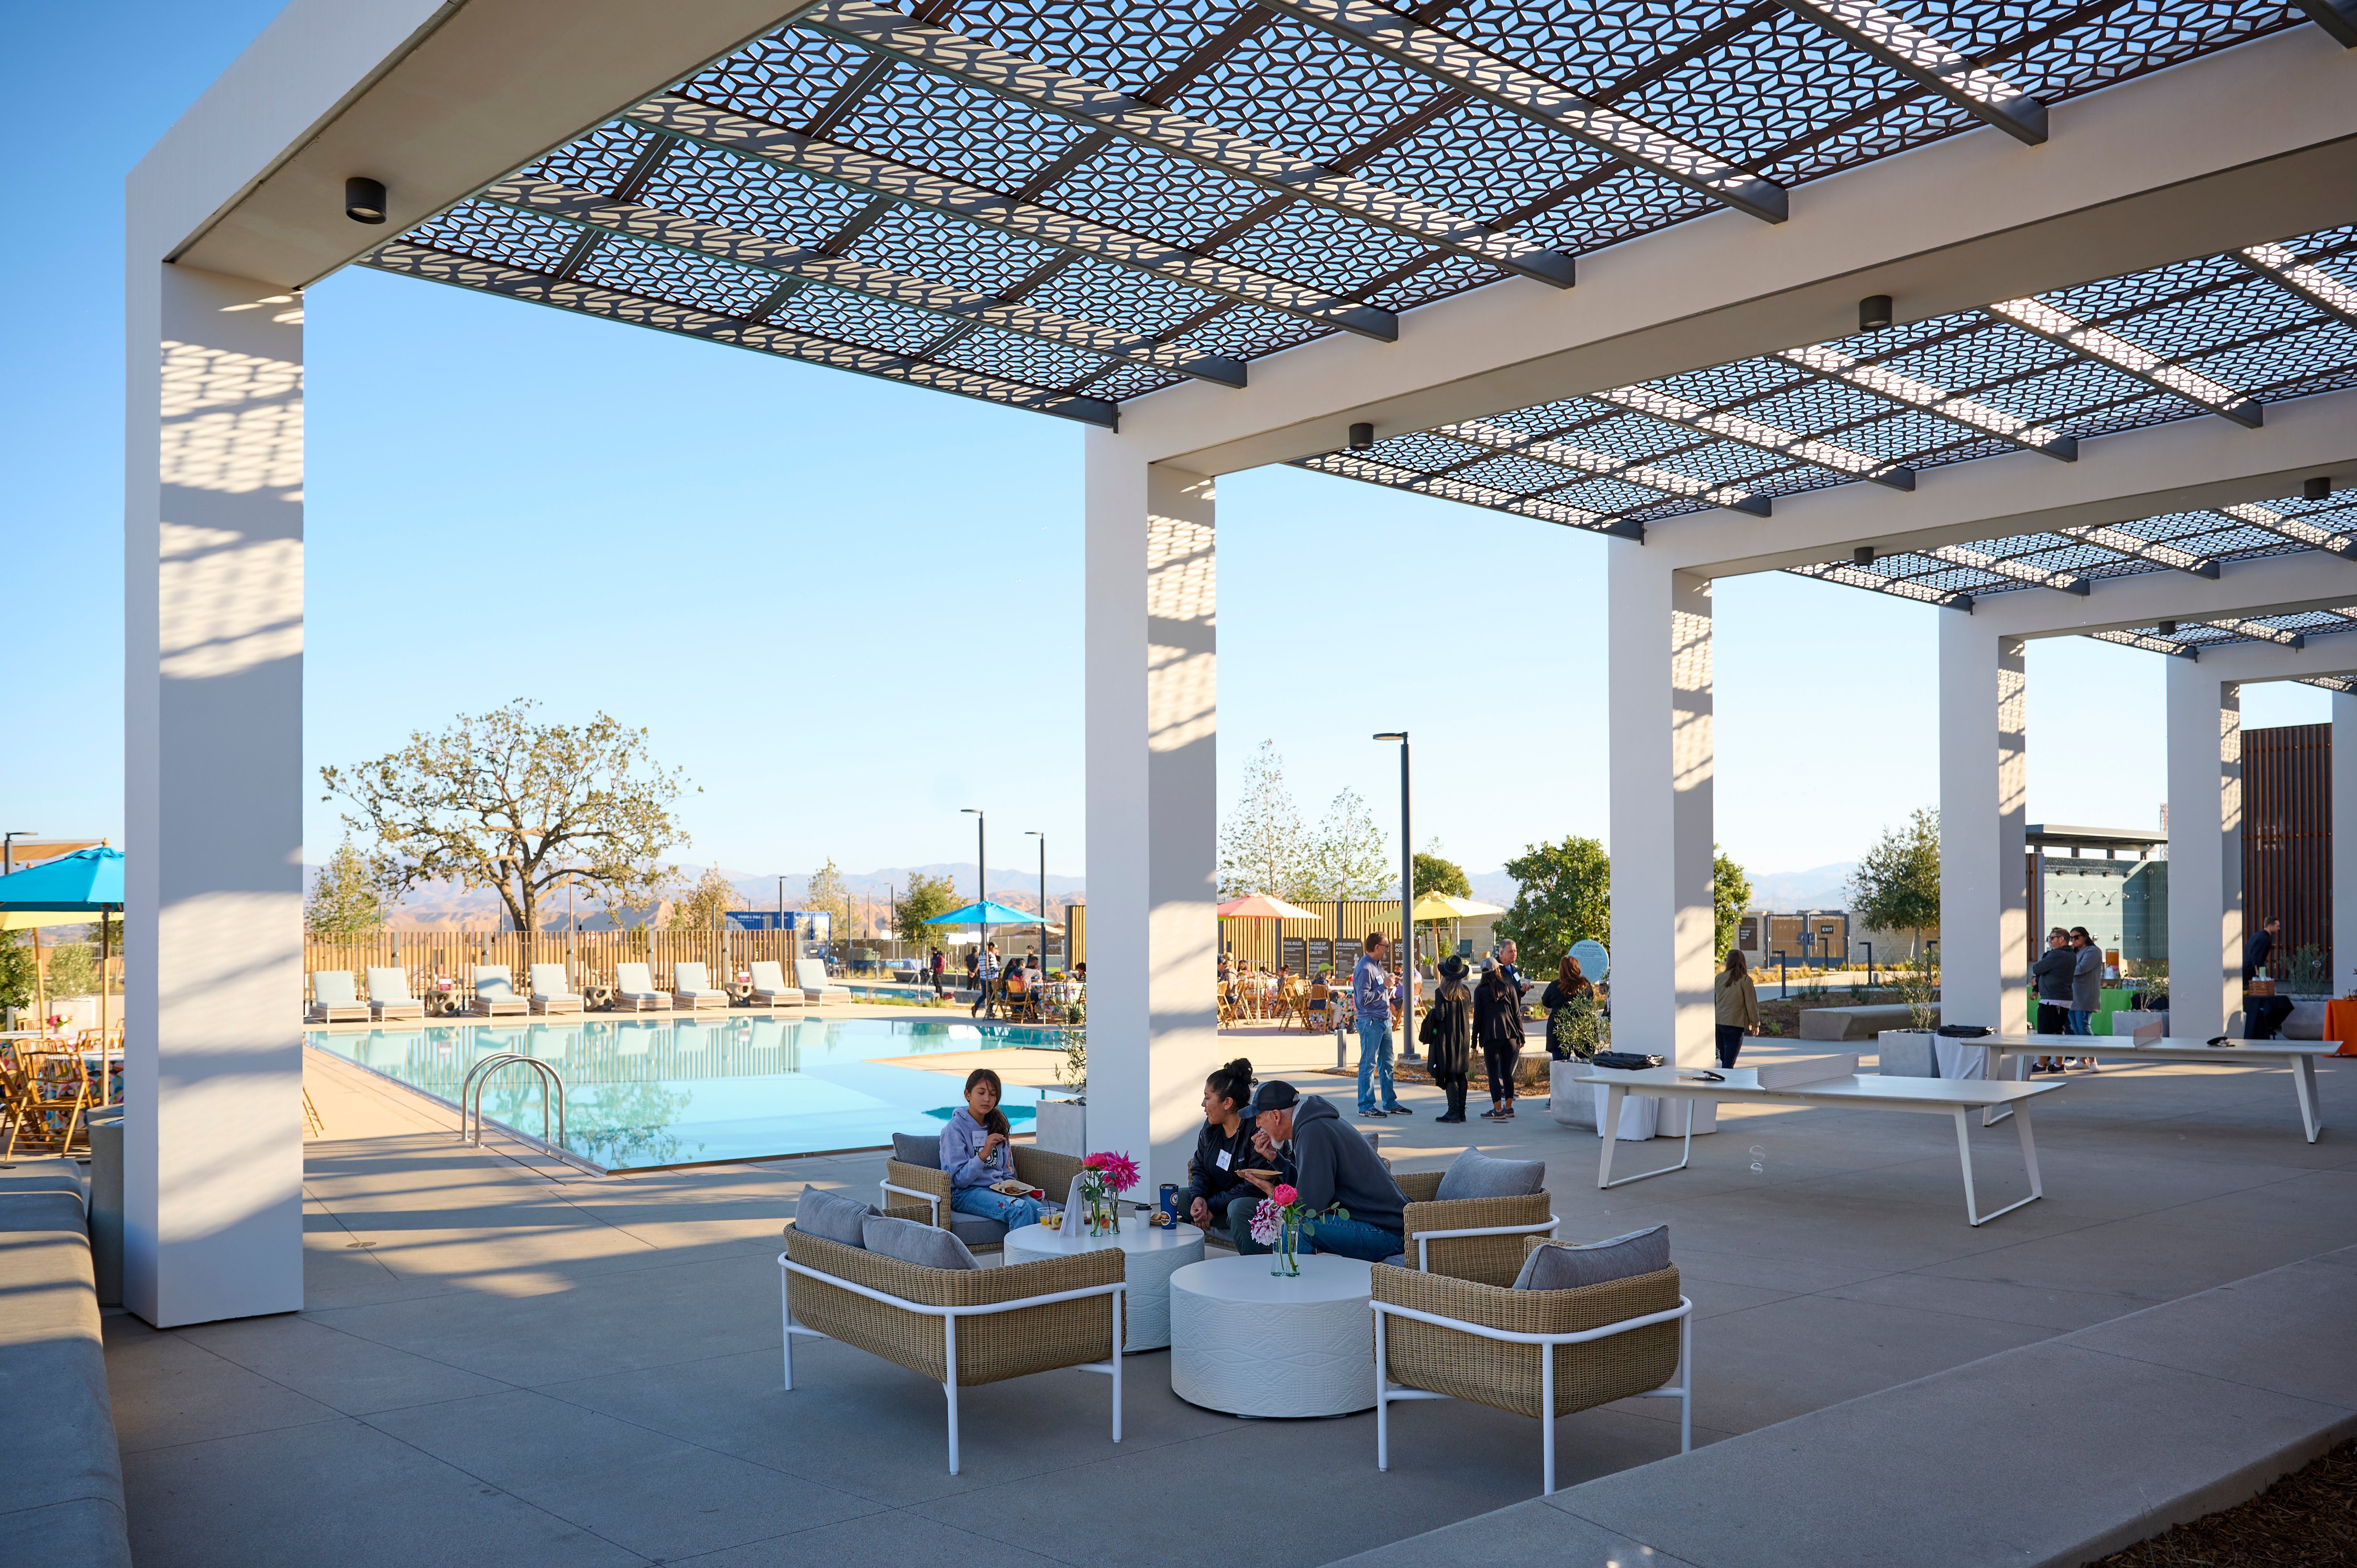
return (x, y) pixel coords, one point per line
(1250, 1343)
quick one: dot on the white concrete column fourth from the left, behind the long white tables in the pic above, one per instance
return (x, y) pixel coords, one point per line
(1983, 817)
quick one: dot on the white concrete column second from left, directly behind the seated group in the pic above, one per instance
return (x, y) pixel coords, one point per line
(1154, 805)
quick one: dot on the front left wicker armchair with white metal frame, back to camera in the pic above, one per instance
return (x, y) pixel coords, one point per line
(958, 1326)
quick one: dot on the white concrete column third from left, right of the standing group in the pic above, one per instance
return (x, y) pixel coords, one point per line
(1663, 760)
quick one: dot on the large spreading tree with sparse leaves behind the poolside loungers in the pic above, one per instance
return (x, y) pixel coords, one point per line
(520, 808)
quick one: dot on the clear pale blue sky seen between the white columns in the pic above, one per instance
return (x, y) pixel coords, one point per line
(850, 610)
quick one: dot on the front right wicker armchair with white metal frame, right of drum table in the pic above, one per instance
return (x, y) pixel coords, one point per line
(1531, 1352)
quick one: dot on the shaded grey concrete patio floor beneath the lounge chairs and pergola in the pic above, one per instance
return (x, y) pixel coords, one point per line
(510, 1362)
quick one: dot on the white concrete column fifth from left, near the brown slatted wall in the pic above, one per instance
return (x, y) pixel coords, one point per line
(2205, 850)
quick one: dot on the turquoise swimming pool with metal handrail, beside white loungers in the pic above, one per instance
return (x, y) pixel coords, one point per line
(642, 1093)
